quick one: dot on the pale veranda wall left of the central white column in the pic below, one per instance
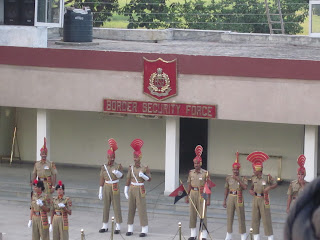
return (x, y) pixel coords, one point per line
(81, 137)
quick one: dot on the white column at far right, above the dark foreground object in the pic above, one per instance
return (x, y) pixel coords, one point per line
(311, 151)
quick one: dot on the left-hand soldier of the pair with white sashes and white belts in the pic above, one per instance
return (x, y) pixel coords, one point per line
(109, 188)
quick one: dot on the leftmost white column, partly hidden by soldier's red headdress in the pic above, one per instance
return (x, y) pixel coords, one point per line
(43, 128)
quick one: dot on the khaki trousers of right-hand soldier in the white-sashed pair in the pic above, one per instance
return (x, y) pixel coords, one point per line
(137, 201)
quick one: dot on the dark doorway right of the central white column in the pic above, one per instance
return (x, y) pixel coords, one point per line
(193, 132)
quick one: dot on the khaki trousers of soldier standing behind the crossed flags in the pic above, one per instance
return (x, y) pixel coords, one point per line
(198, 202)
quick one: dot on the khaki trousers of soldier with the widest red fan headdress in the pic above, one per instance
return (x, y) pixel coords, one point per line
(260, 211)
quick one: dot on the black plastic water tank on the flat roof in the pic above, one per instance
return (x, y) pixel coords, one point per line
(77, 26)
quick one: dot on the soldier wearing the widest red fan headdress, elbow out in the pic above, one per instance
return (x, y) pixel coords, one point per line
(261, 185)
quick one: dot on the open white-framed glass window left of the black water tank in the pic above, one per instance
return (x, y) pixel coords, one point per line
(49, 13)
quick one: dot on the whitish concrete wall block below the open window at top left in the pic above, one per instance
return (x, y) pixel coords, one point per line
(23, 36)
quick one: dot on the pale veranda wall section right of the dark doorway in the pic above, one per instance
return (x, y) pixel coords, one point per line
(228, 137)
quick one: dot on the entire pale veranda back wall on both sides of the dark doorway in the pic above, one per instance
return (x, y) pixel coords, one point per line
(81, 138)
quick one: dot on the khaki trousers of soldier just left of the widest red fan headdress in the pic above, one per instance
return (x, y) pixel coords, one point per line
(232, 206)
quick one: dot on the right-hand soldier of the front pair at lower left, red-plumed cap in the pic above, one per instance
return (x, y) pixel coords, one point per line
(61, 206)
